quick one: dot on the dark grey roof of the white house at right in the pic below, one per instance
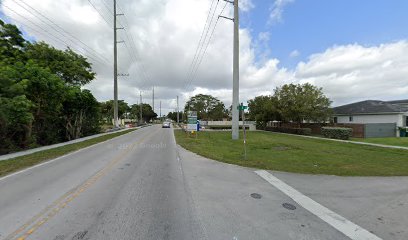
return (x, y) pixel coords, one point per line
(370, 107)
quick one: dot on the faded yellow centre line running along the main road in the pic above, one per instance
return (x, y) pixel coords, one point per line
(38, 220)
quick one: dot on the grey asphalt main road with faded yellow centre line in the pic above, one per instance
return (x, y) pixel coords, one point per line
(142, 186)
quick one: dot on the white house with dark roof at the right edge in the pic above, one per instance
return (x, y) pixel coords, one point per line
(373, 111)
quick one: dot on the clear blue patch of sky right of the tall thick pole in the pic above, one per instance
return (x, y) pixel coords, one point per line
(313, 26)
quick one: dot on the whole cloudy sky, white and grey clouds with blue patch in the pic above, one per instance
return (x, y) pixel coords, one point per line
(354, 50)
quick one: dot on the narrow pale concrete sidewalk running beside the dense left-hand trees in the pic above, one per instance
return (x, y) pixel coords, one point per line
(30, 151)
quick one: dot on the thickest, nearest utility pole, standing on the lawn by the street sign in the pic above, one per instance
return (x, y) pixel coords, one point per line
(235, 84)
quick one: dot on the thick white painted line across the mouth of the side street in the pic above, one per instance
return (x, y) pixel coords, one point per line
(348, 228)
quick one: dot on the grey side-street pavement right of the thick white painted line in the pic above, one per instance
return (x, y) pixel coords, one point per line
(379, 204)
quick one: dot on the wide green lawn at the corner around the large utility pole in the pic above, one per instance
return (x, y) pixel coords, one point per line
(267, 150)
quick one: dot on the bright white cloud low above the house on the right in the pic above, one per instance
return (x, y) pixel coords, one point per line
(354, 72)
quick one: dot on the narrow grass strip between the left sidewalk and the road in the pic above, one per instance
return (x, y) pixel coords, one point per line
(18, 163)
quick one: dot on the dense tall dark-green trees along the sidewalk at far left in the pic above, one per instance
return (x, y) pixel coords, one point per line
(41, 100)
